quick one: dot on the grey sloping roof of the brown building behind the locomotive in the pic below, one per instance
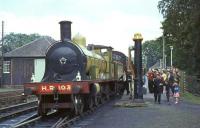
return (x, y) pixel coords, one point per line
(36, 48)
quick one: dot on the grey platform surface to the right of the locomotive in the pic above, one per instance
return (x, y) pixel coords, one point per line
(153, 115)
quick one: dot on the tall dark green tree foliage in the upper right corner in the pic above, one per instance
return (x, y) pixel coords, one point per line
(182, 29)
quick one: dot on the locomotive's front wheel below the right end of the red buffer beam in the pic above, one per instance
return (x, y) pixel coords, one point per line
(78, 104)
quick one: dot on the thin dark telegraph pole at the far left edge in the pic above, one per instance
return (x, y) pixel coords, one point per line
(2, 58)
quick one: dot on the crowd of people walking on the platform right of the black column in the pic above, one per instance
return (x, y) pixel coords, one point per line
(164, 81)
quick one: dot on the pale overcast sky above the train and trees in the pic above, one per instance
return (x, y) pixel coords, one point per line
(106, 22)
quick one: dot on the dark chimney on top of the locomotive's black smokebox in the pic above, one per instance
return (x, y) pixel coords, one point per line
(65, 30)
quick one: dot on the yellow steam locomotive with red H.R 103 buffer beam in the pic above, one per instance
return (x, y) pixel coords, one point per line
(77, 77)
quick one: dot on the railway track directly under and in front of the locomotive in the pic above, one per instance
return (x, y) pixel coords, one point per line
(55, 120)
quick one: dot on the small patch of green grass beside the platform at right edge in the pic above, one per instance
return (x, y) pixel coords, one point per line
(191, 98)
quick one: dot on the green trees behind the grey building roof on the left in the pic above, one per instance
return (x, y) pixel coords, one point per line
(13, 41)
